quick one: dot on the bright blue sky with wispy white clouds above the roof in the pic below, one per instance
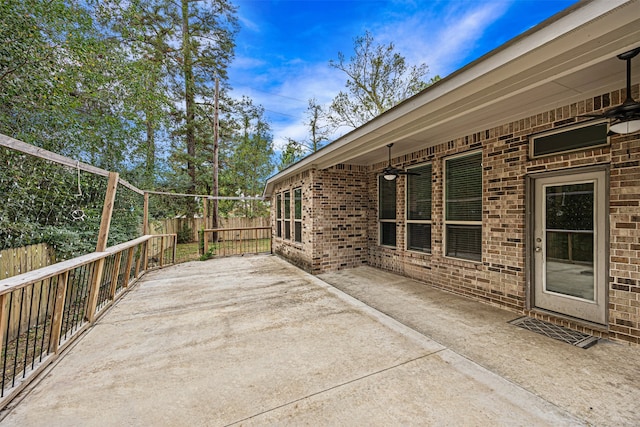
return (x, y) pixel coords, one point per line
(284, 46)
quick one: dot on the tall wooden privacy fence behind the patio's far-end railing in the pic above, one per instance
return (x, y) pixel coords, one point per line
(177, 225)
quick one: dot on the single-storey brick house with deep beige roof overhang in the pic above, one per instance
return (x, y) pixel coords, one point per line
(338, 204)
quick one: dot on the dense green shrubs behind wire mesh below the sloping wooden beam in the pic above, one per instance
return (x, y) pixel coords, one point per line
(47, 203)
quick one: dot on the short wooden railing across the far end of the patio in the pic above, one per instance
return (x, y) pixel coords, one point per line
(236, 241)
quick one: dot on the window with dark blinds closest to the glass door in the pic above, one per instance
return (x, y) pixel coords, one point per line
(463, 207)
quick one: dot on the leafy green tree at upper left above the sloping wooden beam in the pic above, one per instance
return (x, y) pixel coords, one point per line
(61, 81)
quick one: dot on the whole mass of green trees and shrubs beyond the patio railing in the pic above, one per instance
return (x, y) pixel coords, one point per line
(104, 82)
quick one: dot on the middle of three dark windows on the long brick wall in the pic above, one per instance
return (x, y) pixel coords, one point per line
(419, 209)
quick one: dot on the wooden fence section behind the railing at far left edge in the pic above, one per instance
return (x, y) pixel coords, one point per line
(22, 260)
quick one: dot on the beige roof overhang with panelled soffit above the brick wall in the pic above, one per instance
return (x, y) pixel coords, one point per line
(567, 58)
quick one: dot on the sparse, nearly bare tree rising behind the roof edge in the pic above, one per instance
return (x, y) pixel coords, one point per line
(377, 79)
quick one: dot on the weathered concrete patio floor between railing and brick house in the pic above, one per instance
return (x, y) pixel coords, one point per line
(256, 341)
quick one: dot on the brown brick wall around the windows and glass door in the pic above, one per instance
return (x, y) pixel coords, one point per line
(341, 224)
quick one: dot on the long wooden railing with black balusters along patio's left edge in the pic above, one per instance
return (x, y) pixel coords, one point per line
(43, 311)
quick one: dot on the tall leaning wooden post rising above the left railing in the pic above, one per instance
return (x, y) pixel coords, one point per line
(103, 235)
